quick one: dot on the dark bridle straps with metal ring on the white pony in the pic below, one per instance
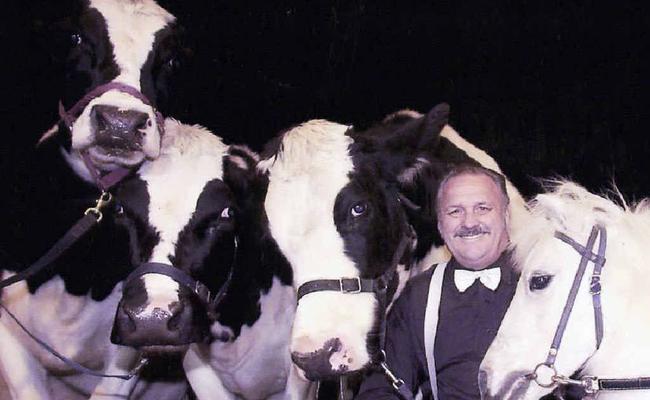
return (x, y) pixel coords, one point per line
(591, 384)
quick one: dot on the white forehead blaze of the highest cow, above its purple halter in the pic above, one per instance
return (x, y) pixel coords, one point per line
(131, 27)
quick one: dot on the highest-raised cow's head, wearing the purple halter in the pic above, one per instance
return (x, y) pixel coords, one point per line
(120, 54)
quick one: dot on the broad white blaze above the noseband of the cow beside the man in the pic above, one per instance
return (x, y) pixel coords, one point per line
(306, 175)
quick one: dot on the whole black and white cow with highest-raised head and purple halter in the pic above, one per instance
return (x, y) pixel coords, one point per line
(116, 73)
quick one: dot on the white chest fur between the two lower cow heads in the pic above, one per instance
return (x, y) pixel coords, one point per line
(256, 364)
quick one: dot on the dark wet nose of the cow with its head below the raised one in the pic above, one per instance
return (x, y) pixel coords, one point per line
(157, 328)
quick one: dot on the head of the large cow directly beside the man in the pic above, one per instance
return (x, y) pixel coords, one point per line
(335, 209)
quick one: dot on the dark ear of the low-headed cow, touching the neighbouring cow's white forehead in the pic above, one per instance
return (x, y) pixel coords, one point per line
(239, 169)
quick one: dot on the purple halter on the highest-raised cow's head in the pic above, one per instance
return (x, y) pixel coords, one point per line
(106, 181)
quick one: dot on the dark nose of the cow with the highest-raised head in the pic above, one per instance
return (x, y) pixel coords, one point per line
(118, 128)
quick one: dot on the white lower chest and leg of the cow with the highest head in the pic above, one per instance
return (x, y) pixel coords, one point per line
(25, 365)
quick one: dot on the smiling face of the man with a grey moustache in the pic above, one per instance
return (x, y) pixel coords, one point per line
(472, 219)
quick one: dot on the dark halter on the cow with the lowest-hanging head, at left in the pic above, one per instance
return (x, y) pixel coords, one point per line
(200, 290)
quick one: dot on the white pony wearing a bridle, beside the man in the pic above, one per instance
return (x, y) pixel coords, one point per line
(548, 266)
